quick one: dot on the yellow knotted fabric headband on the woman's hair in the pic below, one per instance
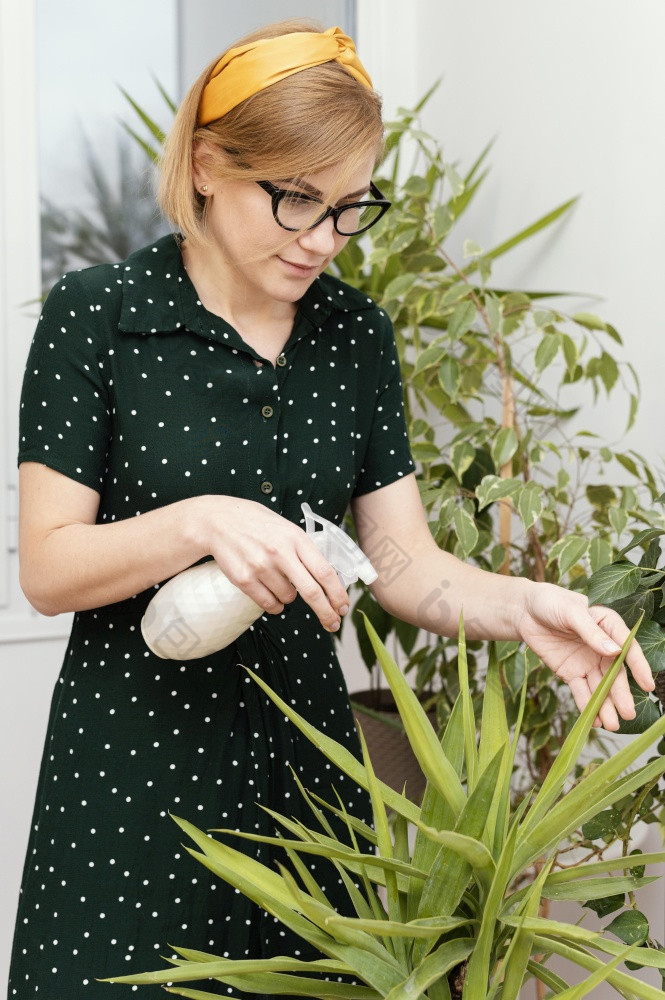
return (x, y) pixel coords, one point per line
(251, 68)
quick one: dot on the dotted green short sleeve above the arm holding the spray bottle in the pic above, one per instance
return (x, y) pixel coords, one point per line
(65, 414)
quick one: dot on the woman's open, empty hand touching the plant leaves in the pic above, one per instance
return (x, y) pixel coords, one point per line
(579, 643)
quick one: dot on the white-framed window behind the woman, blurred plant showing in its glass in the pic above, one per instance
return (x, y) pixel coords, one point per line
(74, 188)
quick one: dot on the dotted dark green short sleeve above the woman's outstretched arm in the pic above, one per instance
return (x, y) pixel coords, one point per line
(388, 454)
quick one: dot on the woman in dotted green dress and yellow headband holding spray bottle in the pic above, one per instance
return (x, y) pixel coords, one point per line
(182, 405)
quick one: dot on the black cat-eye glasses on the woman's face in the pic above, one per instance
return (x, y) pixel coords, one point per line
(294, 210)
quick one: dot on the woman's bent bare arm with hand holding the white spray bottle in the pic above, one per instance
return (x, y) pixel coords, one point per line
(70, 563)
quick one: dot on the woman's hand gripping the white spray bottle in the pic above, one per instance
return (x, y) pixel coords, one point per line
(269, 558)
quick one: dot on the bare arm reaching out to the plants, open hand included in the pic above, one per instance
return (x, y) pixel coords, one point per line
(421, 584)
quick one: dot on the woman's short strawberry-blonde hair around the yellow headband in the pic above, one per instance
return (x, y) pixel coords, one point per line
(305, 123)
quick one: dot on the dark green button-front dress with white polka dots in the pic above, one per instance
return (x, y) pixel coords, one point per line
(134, 389)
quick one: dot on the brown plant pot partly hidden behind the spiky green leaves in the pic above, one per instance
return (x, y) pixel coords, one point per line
(392, 758)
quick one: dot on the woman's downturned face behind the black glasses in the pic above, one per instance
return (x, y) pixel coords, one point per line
(258, 256)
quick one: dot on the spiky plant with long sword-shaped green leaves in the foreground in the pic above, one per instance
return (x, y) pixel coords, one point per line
(445, 903)
